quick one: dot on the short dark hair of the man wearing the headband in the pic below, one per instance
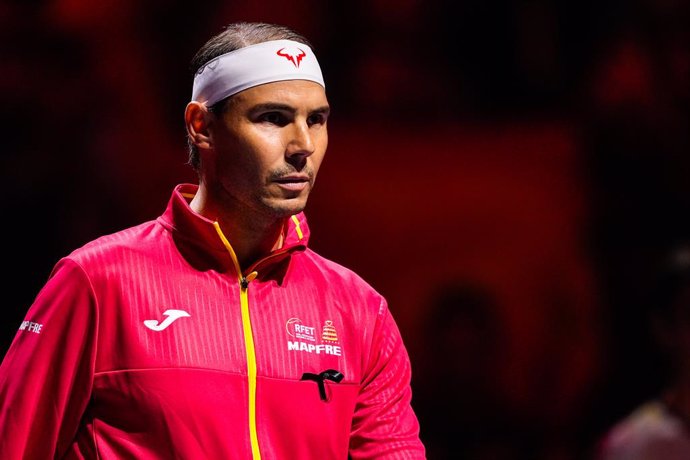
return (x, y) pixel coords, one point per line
(233, 37)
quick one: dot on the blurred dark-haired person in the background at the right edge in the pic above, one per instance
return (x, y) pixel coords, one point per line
(659, 427)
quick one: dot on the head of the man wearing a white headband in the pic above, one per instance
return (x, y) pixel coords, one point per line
(257, 120)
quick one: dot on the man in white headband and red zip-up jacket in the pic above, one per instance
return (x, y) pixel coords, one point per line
(213, 331)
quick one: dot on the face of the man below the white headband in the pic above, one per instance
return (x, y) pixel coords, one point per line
(267, 148)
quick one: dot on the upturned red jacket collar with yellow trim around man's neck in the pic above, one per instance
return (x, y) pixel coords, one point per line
(199, 243)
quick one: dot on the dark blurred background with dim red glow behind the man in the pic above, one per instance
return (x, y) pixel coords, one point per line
(506, 173)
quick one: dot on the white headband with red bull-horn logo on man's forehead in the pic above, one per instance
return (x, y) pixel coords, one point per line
(254, 65)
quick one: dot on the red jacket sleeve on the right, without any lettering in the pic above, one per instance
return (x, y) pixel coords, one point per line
(384, 424)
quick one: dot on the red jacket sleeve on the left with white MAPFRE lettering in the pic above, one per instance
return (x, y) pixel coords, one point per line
(47, 373)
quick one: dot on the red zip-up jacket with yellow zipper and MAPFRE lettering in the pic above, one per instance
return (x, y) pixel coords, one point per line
(147, 343)
